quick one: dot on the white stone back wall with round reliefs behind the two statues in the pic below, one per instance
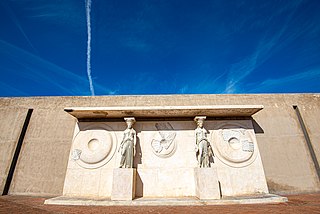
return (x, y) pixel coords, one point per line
(173, 175)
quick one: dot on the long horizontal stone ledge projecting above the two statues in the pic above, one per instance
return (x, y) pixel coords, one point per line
(163, 111)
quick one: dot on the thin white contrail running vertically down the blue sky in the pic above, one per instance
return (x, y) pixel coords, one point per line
(88, 10)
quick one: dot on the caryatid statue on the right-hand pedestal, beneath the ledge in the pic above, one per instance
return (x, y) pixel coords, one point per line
(203, 148)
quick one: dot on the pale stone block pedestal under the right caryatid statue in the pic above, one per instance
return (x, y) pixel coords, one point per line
(206, 183)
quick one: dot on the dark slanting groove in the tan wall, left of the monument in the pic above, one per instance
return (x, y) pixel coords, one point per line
(17, 152)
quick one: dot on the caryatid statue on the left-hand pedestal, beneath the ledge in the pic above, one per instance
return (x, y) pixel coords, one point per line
(128, 144)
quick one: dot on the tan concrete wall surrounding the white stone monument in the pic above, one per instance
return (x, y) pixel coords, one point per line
(43, 160)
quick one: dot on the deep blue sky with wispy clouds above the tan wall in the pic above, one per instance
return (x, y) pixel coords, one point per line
(159, 47)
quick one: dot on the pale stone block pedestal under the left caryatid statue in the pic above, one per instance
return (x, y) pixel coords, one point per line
(124, 184)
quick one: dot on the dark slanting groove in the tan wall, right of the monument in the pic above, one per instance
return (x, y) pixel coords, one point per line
(309, 144)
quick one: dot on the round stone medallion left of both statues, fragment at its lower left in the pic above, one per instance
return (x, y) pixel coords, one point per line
(94, 146)
